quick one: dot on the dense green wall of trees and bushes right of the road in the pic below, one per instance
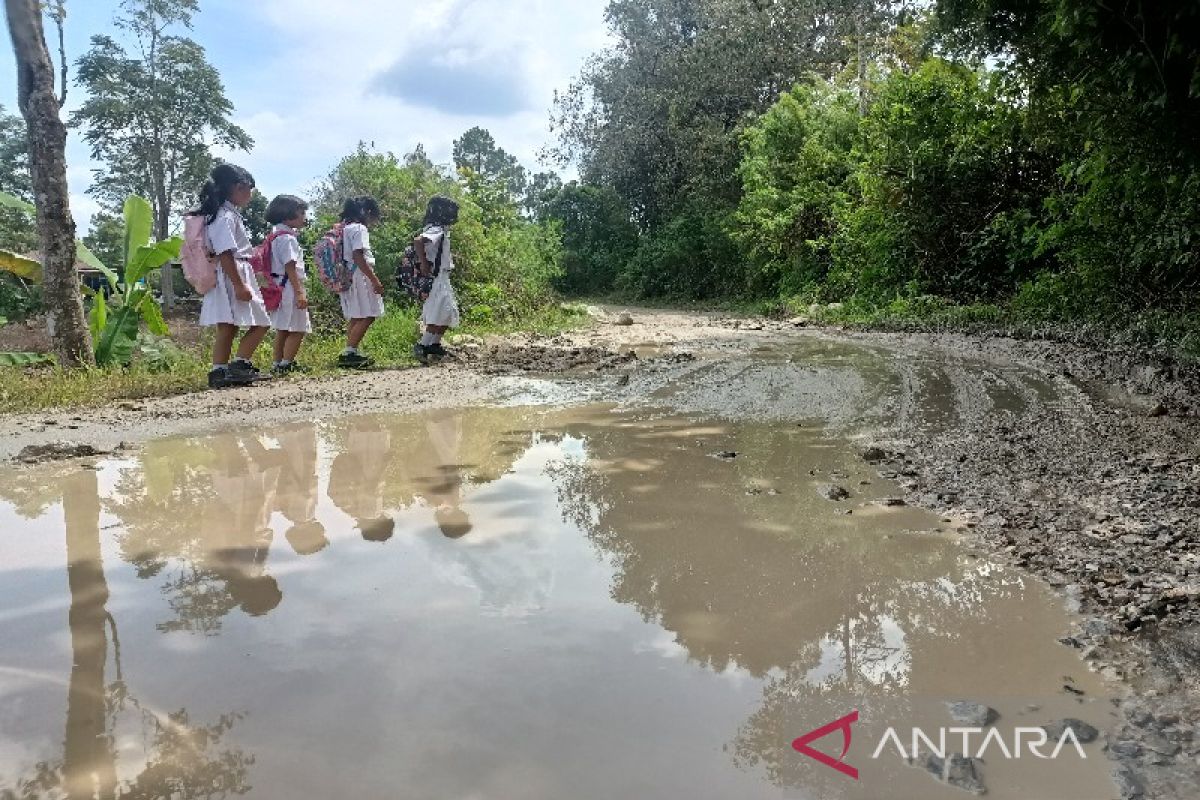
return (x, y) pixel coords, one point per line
(1043, 154)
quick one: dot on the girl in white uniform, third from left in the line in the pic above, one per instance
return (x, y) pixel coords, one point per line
(363, 303)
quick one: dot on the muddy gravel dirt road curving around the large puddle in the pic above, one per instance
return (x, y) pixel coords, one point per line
(1081, 468)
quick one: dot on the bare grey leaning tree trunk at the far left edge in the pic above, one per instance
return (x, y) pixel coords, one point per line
(47, 165)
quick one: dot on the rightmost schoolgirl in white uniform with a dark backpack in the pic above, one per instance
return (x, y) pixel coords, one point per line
(441, 310)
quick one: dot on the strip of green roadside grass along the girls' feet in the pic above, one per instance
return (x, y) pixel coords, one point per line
(391, 341)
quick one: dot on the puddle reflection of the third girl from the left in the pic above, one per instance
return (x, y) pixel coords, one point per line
(357, 477)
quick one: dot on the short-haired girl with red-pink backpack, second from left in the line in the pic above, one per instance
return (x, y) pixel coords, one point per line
(291, 321)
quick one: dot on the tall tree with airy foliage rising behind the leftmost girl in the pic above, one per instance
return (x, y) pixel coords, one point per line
(154, 112)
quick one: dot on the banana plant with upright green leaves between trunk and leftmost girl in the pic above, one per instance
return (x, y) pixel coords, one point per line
(116, 323)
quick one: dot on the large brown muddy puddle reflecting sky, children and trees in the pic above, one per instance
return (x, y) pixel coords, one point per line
(506, 604)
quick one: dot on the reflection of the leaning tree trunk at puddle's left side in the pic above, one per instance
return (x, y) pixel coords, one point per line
(182, 760)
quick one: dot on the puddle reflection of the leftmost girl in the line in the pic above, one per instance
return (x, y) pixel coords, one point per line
(237, 531)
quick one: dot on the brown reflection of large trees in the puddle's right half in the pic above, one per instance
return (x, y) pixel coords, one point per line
(831, 612)
